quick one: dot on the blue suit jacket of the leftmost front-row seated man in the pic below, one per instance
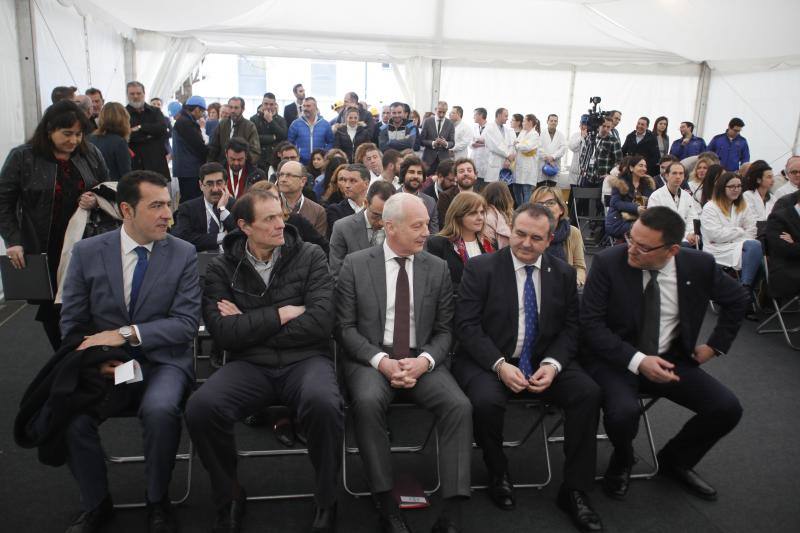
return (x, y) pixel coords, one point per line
(167, 311)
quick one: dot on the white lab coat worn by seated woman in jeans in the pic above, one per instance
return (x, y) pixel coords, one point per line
(724, 235)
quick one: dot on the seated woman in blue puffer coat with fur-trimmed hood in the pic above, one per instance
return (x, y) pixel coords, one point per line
(629, 194)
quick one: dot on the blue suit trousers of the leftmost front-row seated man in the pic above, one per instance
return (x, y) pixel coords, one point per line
(159, 398)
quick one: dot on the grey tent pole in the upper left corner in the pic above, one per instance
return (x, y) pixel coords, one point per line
(29, 73)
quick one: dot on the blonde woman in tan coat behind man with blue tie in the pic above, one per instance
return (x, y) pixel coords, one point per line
(567, 243)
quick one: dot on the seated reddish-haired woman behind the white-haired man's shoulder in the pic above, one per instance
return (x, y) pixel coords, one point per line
(462, 236)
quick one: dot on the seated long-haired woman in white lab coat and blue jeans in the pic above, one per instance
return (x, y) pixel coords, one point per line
(729, 230)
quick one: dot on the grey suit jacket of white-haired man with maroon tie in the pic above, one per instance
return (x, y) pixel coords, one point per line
(361, 305)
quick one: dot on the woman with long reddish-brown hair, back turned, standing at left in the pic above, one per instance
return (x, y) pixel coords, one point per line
(111, 138)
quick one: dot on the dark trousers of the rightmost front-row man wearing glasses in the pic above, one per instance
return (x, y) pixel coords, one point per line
(716, 408)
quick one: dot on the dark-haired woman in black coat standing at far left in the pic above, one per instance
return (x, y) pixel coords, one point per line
(42, 183)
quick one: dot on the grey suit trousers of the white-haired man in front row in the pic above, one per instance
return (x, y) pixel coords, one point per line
(437, 392)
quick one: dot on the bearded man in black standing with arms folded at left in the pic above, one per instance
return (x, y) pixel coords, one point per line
(148, 133)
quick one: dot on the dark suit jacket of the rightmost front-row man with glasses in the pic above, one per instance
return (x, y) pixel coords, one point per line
(611, 312)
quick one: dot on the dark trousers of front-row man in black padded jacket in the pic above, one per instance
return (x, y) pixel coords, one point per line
(240, 388)
